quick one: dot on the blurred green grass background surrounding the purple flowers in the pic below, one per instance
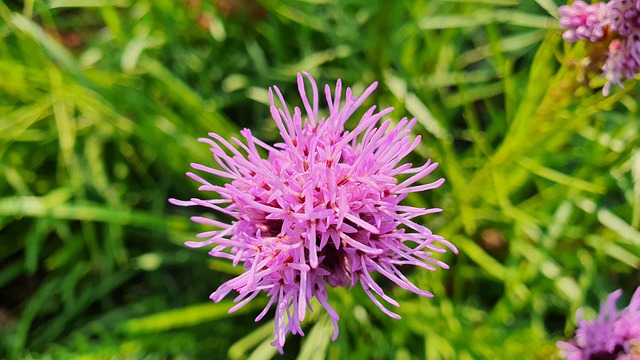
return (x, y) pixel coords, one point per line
(101, 103)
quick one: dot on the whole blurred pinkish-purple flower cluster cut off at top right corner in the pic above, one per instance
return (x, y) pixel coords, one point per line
(616, 23)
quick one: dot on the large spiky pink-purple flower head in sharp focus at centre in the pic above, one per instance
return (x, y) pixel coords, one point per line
(322, 209)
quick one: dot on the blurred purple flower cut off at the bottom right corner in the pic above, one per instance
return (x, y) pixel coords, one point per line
(612, 335)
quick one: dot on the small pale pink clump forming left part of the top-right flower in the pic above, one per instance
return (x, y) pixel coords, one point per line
(583, 21)
